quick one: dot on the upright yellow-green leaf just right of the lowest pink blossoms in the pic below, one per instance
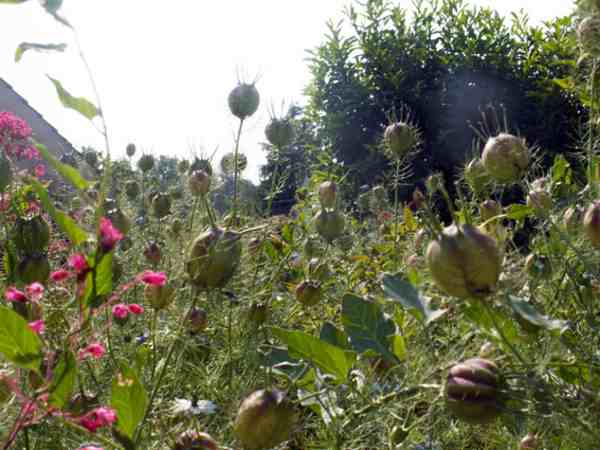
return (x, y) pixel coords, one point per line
(129, 399)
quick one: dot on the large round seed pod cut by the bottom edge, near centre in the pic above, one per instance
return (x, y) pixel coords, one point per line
(265, 419)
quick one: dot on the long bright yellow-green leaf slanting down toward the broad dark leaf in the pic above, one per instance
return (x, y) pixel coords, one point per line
(327, 357)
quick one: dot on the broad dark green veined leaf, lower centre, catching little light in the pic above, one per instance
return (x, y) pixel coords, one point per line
(367, 327)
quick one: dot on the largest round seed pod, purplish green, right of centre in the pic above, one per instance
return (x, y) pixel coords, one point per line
(464, 262)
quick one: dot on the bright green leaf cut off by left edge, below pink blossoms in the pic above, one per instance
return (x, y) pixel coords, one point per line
(19, 343)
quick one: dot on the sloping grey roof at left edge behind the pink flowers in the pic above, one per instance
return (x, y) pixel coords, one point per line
(43, 132)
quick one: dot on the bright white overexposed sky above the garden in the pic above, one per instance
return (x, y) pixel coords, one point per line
(164, 69)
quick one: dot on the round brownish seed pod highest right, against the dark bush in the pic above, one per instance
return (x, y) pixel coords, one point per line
(506, 158)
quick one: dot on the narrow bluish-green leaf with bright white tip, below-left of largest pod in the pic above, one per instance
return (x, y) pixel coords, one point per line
(400, 290)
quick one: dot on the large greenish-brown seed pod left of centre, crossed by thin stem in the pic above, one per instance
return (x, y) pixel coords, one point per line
(214, 257)
